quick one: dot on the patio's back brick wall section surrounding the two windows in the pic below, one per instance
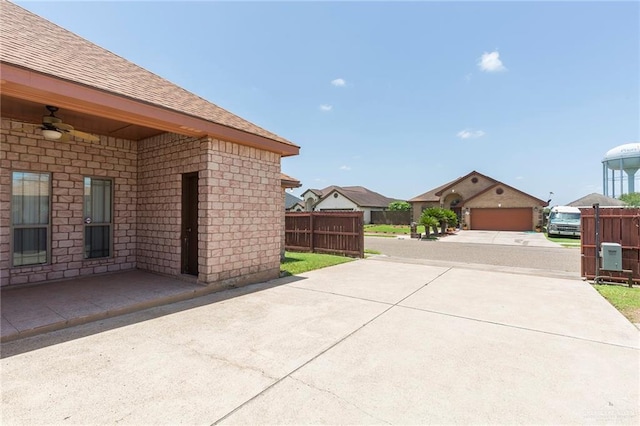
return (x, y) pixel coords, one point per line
(22, 148)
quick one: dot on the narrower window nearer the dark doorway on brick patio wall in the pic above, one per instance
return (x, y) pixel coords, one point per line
(98, 215)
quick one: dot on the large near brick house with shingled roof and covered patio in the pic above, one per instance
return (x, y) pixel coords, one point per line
(161, 179)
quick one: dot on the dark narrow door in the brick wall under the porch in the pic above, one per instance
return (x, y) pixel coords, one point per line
(190, 223)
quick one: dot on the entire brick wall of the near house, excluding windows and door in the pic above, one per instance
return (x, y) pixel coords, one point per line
(240, 208)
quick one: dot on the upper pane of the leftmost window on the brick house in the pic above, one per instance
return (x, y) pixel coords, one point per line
(30, 198)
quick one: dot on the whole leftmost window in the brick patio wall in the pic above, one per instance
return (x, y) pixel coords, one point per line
(30, 212)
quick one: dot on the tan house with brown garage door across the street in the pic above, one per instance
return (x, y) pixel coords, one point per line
(483, 203)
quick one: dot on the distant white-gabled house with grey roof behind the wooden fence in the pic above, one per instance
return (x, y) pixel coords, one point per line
(346, 198)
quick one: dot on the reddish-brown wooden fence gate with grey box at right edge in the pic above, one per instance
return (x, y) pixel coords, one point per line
(617, 225)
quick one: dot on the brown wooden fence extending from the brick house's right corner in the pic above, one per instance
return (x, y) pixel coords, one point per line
(325, 232)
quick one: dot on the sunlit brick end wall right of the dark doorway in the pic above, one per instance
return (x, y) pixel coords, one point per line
(241, 214)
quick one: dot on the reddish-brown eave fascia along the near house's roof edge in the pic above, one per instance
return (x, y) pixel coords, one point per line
(27, 84)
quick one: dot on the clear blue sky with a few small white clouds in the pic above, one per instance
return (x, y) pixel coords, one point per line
(400, 97)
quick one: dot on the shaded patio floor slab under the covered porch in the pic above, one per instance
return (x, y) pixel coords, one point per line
(28, 311)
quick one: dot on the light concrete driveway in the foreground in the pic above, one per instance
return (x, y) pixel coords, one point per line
(367, 342)
